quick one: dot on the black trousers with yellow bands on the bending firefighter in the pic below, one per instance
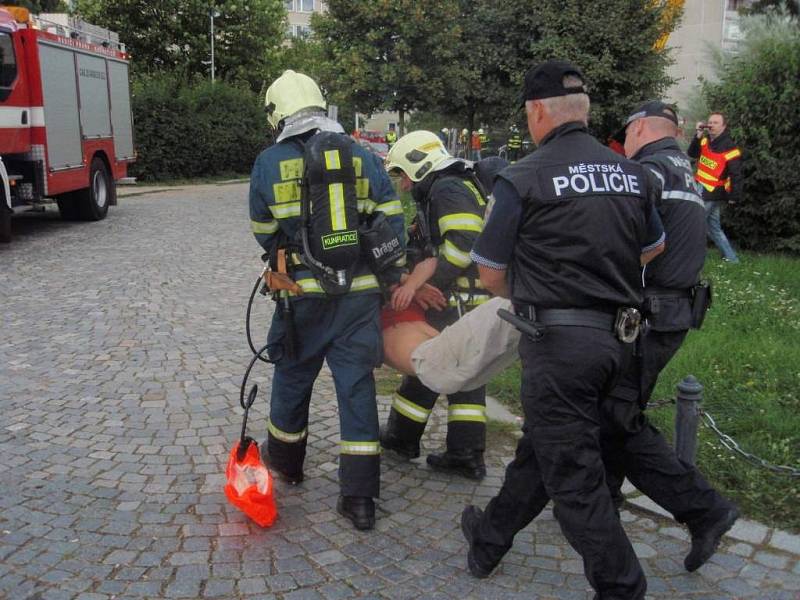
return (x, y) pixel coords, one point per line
(413, 402)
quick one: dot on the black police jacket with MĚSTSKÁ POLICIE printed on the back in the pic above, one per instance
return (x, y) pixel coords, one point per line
(583, 225)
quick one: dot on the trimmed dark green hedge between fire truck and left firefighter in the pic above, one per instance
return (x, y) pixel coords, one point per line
(194, 130)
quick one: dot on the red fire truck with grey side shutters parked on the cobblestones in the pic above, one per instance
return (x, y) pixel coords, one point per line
(66, 131)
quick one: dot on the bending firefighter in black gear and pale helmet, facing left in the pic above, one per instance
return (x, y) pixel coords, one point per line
(450, 216)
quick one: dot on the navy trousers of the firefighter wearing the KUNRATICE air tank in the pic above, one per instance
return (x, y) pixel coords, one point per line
(344, 331)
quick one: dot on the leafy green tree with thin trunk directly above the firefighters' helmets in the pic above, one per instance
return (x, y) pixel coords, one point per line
(394, 55)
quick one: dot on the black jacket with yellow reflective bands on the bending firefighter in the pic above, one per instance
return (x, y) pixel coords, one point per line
(454, 209)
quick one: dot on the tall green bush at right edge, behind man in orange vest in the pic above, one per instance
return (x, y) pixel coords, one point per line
(759, 92)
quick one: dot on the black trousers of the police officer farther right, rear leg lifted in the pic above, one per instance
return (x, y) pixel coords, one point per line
(632, 447)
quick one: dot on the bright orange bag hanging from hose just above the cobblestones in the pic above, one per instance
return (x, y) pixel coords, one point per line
(249, 487)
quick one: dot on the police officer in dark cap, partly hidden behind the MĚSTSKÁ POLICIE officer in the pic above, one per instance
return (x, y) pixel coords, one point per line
(630, 444)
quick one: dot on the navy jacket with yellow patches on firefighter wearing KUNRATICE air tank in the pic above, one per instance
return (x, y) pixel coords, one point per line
(275, 205)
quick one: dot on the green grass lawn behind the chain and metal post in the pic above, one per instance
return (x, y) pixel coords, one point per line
(747, 356)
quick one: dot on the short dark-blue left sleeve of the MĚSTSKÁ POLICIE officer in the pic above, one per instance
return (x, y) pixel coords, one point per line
(494, 247)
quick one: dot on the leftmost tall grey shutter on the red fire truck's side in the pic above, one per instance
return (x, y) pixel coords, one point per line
(60, 93)
